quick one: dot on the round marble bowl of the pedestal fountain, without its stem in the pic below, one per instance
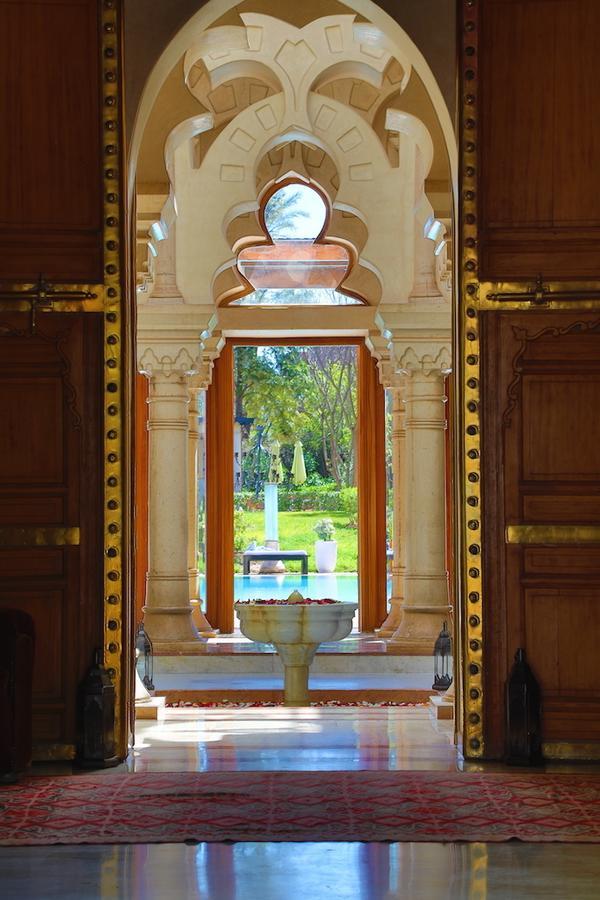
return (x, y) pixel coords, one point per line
(296, 623)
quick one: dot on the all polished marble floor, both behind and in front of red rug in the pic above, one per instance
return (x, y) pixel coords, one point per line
(302, 739)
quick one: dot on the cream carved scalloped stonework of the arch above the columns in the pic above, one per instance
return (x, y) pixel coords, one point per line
(332, 104)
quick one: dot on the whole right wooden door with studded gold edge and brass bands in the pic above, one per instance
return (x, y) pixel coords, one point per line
(530, 349)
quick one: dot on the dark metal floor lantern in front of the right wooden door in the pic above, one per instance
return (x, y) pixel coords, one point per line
(523, 715)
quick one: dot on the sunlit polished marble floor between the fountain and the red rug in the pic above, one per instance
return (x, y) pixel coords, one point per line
(309, 739)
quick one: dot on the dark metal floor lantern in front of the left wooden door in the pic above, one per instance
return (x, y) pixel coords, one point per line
(96, 745)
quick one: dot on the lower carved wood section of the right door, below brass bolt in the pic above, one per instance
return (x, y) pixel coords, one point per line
(545, 389)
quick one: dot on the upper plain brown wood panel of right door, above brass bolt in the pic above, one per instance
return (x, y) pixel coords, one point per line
(540, 139)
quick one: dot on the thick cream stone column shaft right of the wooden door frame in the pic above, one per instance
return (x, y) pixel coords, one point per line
(425, 603)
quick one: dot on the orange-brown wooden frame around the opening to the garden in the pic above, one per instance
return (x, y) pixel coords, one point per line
(372, 488)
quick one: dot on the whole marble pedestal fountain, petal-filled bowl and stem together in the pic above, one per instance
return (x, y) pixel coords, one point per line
(295, 630)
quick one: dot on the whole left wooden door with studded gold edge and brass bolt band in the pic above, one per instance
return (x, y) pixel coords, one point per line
(64, 387)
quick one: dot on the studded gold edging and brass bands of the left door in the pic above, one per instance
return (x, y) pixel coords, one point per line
(108, 298)
